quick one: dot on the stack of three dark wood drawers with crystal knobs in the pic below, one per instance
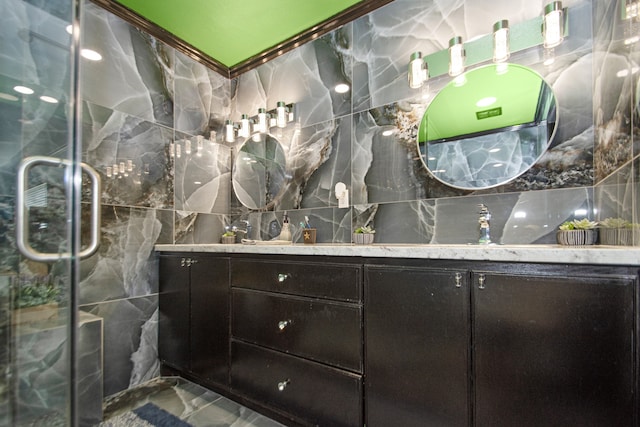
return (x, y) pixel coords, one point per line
(297, 339)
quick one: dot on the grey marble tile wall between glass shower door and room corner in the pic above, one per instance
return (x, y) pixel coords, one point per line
(143, 105)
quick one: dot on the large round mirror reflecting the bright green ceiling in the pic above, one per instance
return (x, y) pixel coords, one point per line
(487, 126)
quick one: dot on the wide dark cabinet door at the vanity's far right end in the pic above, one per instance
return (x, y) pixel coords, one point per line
(553, 351)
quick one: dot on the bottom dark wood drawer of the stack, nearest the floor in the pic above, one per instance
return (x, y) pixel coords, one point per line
(319, 394)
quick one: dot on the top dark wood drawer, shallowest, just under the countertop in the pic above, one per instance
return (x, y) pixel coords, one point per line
(333, 281)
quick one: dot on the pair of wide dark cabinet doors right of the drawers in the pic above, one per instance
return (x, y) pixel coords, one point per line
(545, 346)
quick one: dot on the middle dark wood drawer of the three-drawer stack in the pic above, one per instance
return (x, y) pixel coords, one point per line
(325, 331)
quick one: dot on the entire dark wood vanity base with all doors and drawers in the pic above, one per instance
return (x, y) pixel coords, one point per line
(332, 341)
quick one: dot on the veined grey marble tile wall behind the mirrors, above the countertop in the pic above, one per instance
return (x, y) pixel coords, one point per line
(342, 138)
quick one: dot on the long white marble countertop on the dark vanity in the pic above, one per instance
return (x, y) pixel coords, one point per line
(603, 255)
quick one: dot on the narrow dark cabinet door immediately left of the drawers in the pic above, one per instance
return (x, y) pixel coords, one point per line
(210, 319)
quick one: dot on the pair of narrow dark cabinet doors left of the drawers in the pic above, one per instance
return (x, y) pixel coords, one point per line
(193, 336)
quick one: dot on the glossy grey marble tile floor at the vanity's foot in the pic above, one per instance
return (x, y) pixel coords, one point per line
(190, 402)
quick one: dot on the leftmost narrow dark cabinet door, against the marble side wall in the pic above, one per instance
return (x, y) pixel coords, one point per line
(173, 319)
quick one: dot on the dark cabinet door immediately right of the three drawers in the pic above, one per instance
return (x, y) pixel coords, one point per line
(416, 341)
